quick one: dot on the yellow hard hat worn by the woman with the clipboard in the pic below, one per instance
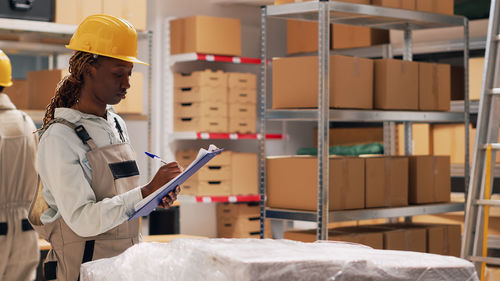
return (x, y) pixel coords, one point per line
(107, 36)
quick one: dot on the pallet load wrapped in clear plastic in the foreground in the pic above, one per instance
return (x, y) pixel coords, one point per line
(272, 260)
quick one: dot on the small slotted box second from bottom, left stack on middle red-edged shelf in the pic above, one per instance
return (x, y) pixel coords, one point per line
(200, 109)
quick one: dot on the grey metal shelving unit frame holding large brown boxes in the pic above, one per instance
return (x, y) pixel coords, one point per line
(324, 13)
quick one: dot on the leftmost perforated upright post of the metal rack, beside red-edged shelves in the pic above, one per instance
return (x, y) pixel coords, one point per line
(262, 123)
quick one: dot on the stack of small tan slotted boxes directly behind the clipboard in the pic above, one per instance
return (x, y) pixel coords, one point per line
(230, 173)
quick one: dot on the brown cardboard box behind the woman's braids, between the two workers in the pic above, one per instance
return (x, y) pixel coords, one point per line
(42, 86)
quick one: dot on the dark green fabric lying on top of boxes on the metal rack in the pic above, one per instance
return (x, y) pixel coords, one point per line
(346, 150)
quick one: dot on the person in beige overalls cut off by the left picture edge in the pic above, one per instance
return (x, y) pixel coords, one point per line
(19, 254)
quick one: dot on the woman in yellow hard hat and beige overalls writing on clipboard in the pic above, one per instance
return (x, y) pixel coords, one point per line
(86, 163)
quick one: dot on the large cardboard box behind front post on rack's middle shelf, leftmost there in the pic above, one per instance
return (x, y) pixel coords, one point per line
(295, 82)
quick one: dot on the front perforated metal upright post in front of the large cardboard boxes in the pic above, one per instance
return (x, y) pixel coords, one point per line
(323, 122)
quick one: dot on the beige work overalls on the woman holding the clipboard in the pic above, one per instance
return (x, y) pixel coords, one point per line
(114, 171)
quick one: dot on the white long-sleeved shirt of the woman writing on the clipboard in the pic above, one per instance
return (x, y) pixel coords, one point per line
(67, 176)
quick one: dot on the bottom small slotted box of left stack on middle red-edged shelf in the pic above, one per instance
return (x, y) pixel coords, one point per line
(200, 124)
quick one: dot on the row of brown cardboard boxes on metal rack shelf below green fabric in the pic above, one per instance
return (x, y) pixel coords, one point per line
(357, 183)
